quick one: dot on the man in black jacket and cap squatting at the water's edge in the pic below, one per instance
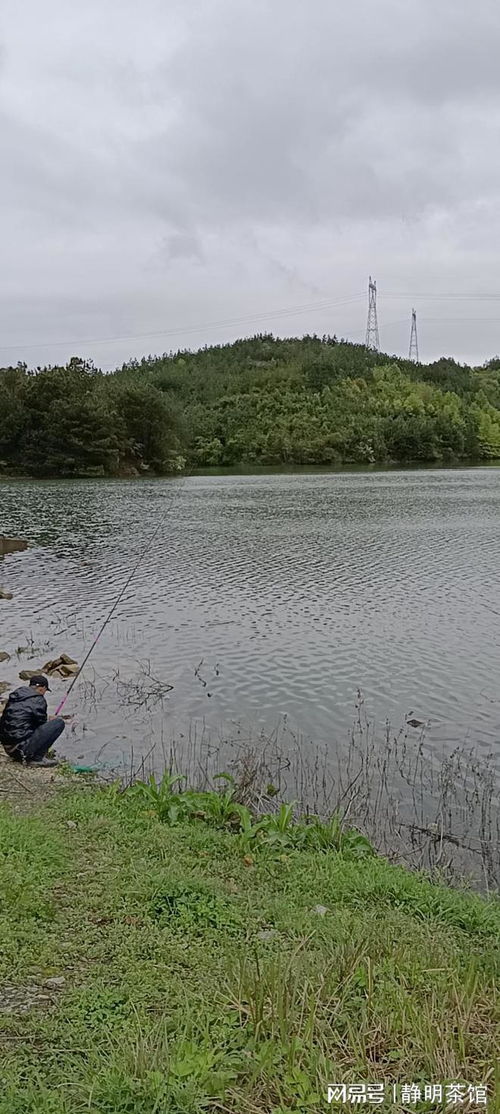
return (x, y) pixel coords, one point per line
(26, 732)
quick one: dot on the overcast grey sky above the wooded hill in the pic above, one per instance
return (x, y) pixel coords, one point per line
(177, 173)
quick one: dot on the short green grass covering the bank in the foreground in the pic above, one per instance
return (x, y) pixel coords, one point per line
(199, 978)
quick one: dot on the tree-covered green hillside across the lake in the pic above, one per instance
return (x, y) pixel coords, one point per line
(263, 400)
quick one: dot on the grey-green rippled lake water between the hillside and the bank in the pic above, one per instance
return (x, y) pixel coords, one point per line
(293, 590)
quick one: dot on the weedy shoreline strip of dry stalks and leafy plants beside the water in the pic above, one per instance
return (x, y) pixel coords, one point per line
(460, 855)
